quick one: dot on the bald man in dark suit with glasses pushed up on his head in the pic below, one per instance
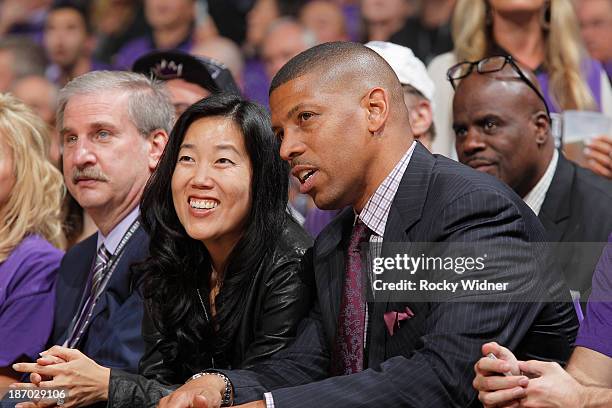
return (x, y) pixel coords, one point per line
(502, 128)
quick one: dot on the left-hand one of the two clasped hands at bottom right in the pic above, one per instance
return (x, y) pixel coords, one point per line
(494, 388)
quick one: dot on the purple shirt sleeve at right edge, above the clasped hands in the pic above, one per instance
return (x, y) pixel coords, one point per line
(596, 329)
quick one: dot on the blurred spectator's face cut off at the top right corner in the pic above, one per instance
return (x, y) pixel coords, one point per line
(595, 18)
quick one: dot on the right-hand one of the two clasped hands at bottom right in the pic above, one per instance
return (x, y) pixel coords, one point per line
(553, 387)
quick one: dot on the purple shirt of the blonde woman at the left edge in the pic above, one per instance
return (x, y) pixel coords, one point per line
(27, 299)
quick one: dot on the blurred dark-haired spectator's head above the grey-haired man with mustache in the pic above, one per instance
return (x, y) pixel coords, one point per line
(69, 42)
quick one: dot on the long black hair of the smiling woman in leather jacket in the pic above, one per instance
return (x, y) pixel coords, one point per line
(178, 264)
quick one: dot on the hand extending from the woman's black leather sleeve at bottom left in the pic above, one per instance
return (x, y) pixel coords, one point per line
(84, 380)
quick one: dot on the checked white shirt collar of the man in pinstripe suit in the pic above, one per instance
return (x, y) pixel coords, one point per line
(376, 211)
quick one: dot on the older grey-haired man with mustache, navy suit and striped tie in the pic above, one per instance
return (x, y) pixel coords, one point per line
(114, 127)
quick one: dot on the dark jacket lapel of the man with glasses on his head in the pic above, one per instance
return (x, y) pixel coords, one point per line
(555, 211)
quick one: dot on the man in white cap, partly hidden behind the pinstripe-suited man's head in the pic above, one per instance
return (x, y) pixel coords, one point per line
(417, 85)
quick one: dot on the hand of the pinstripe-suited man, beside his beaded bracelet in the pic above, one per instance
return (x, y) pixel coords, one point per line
(203, 392)
